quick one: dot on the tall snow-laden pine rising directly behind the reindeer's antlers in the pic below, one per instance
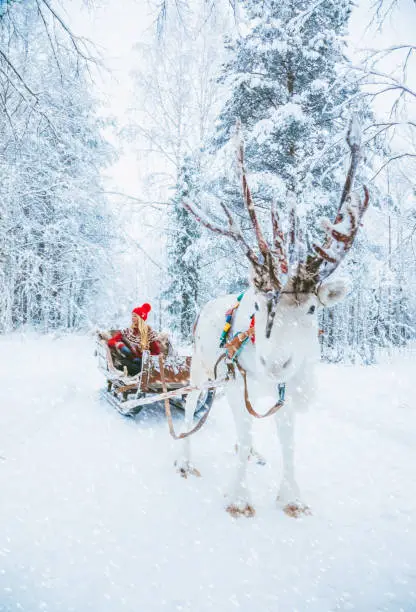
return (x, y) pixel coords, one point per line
(286, 87)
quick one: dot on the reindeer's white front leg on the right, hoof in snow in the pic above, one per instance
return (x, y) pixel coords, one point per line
(289, 494)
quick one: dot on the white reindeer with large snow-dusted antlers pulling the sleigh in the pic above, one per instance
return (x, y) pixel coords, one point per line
(286, 335)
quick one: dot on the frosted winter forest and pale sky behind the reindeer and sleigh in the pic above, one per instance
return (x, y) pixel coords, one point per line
(113, 115)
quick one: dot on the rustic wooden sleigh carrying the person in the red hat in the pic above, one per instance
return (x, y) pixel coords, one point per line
(129, 394)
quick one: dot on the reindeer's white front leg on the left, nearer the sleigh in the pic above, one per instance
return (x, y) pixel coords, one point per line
(239, 502)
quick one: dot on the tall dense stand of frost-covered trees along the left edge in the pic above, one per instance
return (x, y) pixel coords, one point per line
(54, 228)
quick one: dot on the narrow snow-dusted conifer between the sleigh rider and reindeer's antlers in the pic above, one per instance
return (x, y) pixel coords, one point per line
(183, 255)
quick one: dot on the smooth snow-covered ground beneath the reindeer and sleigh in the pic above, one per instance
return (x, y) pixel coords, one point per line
(93, 516)
